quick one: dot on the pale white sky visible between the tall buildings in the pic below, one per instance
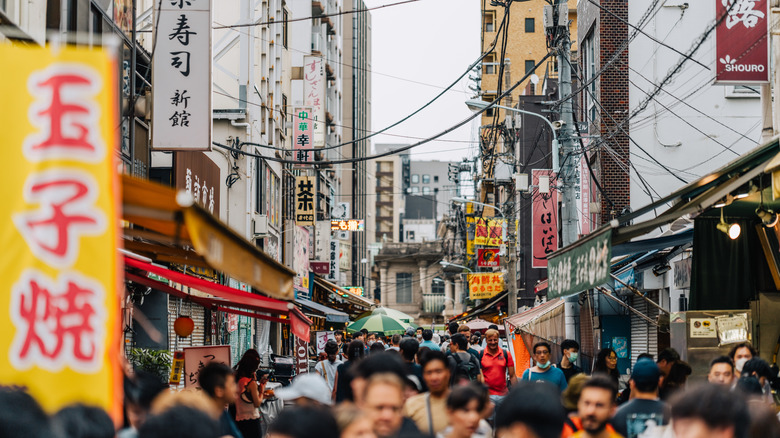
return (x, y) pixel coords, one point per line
(431, 42)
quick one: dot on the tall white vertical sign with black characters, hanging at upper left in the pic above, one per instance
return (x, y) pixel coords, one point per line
(181, 75)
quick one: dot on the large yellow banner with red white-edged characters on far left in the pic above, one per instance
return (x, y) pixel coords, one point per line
(59, 269)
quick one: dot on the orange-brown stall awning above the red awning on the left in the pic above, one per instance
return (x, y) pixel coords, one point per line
(167, 224)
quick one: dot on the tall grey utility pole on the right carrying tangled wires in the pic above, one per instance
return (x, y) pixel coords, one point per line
(567, 175)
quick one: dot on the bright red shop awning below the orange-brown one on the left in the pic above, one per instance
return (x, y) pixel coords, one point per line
(221, 298)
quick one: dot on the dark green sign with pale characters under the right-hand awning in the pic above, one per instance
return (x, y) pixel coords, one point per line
(581, 266)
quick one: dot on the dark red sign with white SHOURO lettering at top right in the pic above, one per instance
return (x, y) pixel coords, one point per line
(741, 39)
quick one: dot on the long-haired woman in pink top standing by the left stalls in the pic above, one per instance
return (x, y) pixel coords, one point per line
(250, 395)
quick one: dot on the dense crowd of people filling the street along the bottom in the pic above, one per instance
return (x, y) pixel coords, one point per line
(421, 385)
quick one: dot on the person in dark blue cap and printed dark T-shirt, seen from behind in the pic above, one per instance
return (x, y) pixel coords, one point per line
(645, 408)
